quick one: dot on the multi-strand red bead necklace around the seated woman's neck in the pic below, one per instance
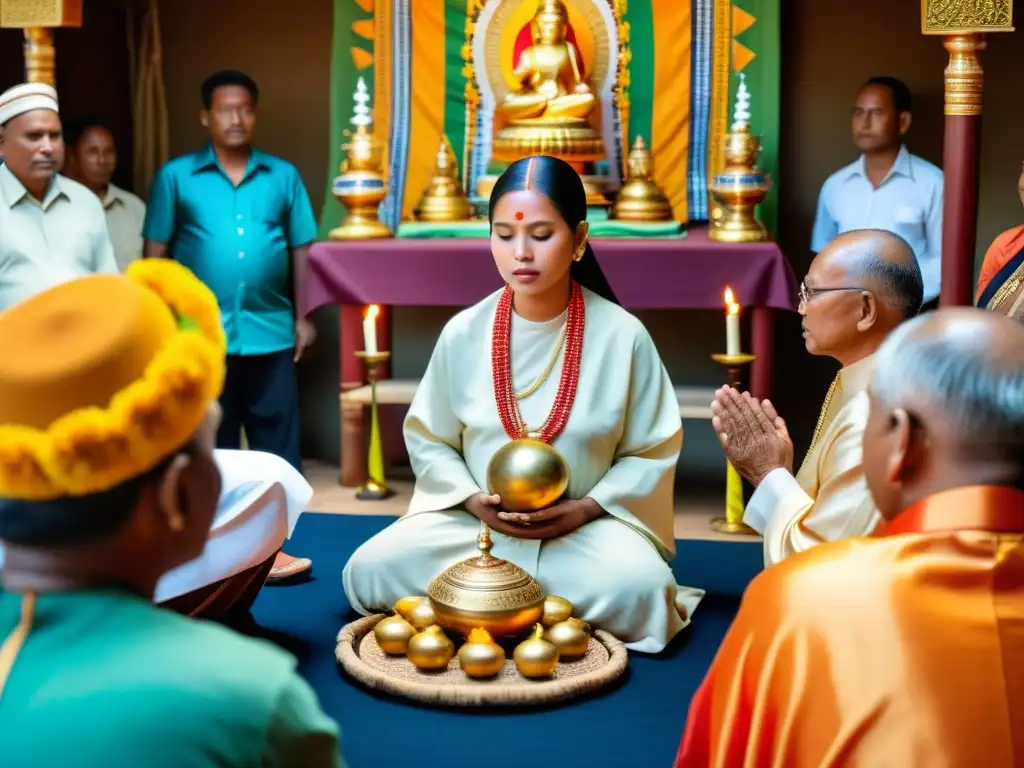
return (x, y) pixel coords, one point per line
(501, 364)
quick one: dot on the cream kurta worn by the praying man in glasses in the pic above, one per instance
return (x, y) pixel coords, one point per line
(829, 499)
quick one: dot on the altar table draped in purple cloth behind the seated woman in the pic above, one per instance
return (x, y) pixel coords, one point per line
(691, 273)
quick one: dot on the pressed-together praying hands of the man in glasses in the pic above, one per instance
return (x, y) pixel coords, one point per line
(754, 437)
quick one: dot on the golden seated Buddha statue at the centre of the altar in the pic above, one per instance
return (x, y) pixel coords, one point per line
(551, 88)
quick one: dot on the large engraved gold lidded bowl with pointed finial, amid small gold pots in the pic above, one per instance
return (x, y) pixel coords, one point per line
(487, 593)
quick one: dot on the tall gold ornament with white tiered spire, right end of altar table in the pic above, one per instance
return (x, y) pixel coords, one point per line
(742, 186)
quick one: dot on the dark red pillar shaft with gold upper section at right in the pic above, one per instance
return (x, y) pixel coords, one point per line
(961, 151)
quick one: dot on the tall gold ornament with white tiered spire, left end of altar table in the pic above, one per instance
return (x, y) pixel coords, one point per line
(362, 186)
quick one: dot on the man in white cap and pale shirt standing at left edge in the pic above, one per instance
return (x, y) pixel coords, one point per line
(53, 230)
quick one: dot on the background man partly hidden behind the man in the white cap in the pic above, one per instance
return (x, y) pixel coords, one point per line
(93, 159)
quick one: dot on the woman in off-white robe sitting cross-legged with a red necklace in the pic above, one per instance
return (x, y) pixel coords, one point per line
(586, 376)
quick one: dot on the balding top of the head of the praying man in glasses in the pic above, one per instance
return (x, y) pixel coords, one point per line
(886, 264)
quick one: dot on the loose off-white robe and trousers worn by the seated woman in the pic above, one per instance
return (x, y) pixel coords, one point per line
(622, 444)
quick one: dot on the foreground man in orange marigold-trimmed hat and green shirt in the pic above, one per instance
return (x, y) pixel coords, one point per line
(109, 413)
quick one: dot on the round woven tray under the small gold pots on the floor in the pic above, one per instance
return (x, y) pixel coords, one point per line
(363, 660)
